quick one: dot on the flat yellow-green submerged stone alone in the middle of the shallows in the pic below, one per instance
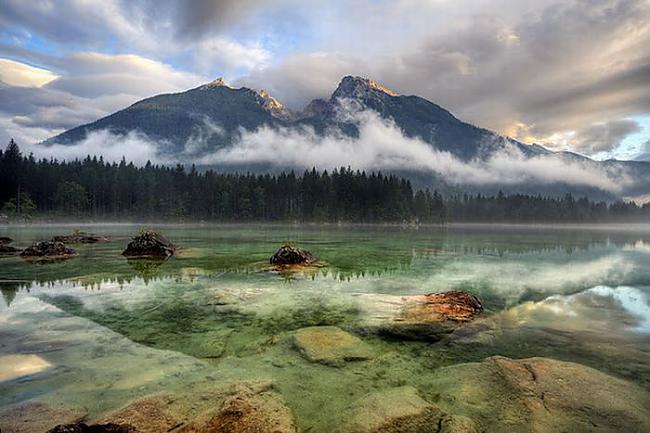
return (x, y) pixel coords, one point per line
(330, 345)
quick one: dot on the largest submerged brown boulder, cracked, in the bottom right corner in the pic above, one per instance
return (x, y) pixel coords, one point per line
(542, 395)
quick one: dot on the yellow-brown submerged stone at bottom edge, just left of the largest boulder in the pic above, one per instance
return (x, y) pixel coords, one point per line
(397, 410)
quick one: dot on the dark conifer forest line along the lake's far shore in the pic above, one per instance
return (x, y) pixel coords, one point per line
(92, 188)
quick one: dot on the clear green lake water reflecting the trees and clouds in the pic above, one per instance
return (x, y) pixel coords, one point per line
(111, 329)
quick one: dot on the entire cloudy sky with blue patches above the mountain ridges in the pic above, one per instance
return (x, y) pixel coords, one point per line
(571, 75)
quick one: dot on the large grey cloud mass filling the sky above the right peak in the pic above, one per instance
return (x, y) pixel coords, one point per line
(536, 70)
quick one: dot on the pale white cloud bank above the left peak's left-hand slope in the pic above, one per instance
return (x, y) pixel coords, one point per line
(93, 85)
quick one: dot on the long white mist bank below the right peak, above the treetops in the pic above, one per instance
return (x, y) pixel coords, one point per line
(381, 145)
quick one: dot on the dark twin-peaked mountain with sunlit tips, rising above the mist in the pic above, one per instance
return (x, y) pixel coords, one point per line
(174, 119)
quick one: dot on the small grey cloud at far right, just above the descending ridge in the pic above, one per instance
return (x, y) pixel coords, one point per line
(604, 136)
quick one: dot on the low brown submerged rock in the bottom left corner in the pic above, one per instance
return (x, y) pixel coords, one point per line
(38, 417)
